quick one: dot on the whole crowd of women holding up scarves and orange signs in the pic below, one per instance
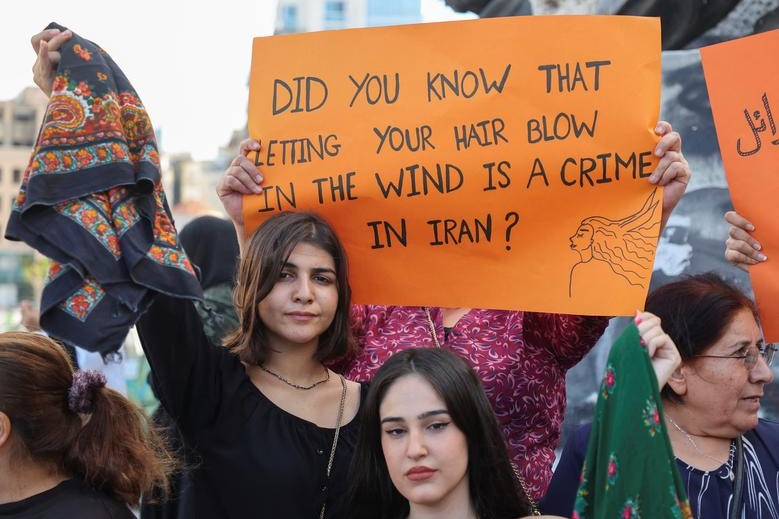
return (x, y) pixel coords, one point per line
(280, 398)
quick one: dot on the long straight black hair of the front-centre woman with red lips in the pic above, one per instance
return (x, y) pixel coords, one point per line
(495, 490)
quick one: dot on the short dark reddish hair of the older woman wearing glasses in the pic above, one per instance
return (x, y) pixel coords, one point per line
(696, 311)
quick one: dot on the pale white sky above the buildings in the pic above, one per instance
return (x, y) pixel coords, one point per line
(188, 61)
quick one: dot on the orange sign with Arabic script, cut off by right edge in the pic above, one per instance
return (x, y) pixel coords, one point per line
(743, 85)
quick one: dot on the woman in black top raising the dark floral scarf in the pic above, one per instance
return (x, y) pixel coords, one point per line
(274, 428)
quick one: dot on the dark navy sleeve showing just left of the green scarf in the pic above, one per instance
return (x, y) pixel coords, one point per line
(561, 494)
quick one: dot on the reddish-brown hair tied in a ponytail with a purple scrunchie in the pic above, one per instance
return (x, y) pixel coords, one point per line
(76, 424)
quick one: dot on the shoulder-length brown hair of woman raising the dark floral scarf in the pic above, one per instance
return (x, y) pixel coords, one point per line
(260, 267)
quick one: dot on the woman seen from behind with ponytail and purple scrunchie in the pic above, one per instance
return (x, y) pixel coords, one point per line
(69, 446)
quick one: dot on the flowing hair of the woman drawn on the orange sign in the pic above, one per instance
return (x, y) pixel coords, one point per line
(627, 245)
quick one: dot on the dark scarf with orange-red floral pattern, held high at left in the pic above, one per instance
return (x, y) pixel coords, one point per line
(91, 200)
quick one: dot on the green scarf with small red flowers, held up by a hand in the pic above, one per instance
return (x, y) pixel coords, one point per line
(630, 470)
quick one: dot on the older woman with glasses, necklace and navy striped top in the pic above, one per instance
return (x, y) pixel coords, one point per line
(728, 456)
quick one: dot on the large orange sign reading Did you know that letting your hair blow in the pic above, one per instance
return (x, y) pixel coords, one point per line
(493, 163)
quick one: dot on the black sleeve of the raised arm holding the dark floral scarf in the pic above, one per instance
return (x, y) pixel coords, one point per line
(186, 368)
